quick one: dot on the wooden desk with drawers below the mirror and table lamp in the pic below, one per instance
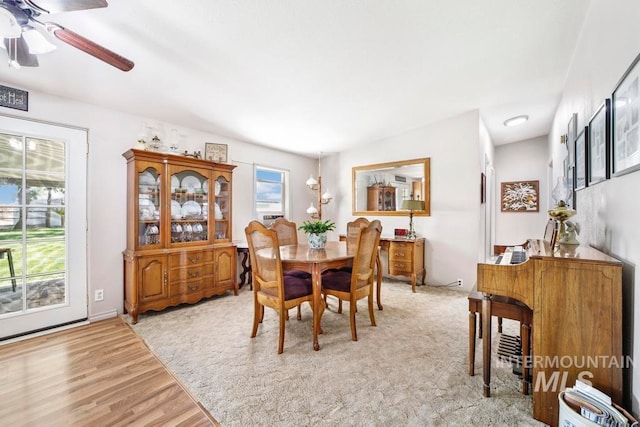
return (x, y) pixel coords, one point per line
(406, 257)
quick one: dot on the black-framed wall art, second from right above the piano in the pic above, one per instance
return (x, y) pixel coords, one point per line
(598, 151)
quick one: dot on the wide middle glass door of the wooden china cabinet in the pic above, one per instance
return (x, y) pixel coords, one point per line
(189, 208)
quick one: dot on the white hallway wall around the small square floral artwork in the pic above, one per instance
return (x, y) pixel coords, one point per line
(522, 161)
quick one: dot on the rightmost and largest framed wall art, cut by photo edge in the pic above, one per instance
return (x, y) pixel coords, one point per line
(625, 122)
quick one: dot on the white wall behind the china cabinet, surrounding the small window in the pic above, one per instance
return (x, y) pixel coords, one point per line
(112, 133)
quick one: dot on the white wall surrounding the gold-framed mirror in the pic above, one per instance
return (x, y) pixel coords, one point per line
(451, 231)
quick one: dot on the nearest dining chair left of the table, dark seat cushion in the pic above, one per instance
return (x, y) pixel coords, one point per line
(271, 288)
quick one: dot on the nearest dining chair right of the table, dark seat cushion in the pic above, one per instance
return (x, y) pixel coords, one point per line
(357, 284)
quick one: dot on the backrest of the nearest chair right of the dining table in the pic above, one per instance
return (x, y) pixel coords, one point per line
(364, 259)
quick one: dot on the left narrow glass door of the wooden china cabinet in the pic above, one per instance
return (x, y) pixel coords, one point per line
(148, 205)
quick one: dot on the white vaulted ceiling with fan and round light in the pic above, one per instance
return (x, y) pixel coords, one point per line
(311, 76)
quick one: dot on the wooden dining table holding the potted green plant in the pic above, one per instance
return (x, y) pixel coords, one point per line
(315, 261)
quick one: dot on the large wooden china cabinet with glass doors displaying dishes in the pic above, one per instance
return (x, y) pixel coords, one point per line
(179, 247)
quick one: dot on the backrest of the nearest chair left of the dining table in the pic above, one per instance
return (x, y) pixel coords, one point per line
(266, 266)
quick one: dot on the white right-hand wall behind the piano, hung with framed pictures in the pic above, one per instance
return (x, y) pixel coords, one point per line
(607, 212)
